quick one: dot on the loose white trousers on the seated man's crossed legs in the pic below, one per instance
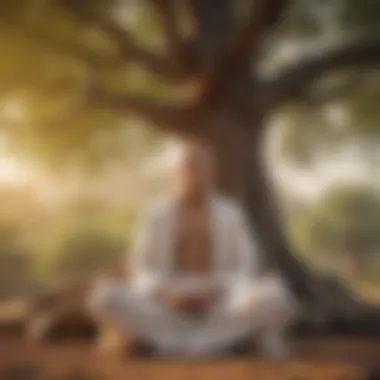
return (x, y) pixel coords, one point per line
(260, 307)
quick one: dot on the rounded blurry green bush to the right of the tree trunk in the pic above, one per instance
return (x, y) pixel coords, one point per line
(345, 223)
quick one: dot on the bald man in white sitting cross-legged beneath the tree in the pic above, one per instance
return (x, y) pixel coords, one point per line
(196, 287)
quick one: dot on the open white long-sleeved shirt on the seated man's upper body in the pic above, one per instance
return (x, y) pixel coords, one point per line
(235, 253)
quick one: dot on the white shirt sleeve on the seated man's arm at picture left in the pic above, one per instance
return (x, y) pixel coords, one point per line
(144, 266)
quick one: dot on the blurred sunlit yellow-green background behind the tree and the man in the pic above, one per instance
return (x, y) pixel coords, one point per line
(74, 177)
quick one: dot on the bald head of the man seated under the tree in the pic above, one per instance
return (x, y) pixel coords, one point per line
(195, 168)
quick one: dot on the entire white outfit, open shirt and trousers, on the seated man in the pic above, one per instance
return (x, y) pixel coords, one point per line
(251, 304)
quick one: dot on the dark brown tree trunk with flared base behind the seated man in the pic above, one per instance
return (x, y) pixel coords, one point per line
(243, 174)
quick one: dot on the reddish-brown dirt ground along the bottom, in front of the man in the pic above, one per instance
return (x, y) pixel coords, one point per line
(324, 359)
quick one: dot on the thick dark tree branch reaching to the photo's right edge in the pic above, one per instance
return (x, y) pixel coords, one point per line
(295, 81)
